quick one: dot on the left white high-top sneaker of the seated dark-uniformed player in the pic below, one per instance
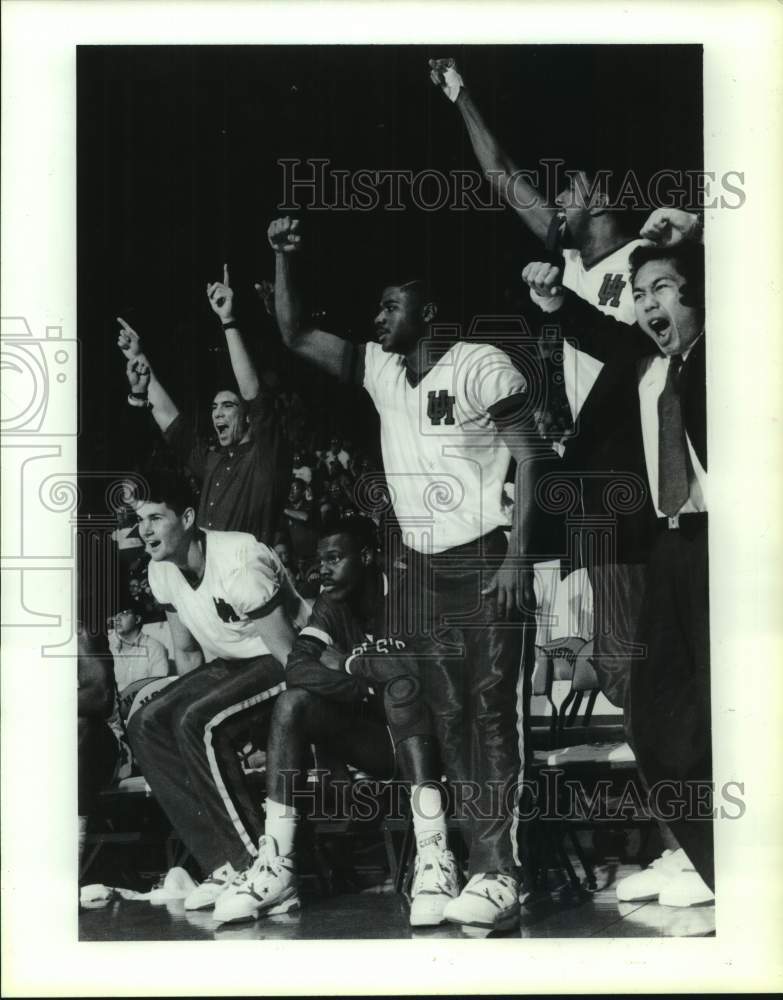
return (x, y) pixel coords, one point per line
(269, 886)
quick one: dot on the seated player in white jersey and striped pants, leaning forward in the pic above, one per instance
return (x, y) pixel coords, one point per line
(226, 595)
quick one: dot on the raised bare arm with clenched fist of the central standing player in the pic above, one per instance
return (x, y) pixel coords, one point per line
(333, 354)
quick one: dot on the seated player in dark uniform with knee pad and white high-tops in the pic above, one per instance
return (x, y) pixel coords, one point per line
(344, 701)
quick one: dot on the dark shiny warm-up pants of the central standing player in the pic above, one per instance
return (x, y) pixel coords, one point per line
(470, 669)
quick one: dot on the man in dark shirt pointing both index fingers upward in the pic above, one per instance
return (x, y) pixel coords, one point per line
(244, 483)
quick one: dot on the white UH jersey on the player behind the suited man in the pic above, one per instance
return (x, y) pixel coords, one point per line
(606, 285)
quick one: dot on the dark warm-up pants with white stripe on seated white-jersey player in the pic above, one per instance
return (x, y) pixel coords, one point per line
(185, 741)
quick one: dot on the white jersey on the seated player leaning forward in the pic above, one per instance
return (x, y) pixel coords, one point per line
(243, 580)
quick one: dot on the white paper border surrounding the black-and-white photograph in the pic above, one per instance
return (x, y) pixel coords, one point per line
(742, 98)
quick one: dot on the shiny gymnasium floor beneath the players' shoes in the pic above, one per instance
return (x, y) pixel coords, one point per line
(378, 912)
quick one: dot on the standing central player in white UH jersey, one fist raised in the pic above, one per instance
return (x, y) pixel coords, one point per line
(452, 416)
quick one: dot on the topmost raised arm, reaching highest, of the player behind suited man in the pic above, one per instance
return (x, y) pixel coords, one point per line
(501, 171)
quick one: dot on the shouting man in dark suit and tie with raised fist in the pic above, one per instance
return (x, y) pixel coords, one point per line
(661, 361)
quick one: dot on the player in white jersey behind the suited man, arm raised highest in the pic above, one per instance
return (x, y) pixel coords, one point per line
(595, 241)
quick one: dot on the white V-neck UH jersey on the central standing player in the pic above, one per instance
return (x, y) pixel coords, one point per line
(444, 460)
